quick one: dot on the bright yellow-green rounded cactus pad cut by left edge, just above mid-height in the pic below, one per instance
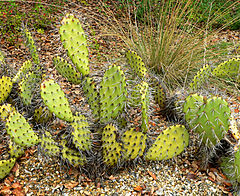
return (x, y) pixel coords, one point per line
(5, 88)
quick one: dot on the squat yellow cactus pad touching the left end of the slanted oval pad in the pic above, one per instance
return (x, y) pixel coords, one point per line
(134, 144)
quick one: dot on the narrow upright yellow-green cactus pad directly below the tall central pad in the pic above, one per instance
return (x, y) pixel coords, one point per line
(111, 148)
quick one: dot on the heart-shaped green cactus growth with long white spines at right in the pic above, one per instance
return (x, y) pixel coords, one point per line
(210, 120)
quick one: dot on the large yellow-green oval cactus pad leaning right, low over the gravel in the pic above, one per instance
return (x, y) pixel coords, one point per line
(171, 142)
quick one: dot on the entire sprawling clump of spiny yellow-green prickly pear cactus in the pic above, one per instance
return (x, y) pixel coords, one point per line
(85, 138)
